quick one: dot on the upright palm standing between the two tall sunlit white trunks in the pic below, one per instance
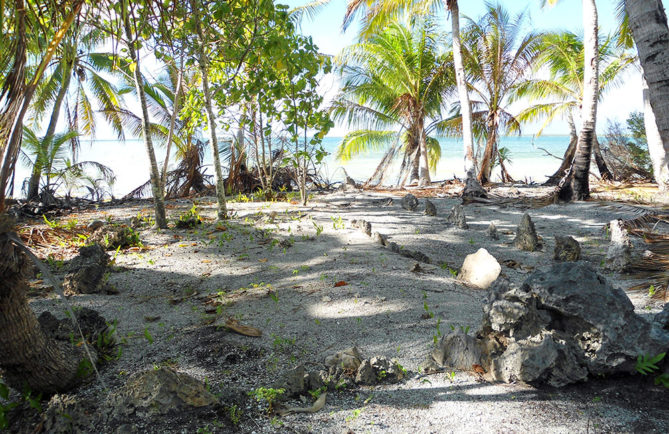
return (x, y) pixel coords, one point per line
(498, 56)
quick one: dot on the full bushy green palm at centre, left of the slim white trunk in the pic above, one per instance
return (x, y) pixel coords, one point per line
(393, 91)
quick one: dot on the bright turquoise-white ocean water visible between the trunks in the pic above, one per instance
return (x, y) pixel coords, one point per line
(527, 161)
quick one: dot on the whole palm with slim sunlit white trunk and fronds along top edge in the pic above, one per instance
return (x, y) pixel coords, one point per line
(380, 12)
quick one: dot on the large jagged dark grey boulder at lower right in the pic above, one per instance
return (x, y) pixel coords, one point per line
(562, 326)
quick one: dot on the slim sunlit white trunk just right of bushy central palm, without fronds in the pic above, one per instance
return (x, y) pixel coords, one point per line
(465, 105)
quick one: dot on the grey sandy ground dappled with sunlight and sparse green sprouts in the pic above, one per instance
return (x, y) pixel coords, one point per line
(275, 266)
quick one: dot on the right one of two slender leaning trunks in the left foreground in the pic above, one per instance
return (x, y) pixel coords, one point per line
(211, 121)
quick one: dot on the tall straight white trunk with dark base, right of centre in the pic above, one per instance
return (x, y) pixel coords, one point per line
(580, 188)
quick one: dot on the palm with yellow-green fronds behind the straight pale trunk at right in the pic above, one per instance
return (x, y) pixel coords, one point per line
(561, 94)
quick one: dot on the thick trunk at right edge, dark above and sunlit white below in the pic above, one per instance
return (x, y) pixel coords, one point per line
(648, 22)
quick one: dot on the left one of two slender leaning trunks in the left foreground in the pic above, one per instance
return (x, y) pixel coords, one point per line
(156, 189)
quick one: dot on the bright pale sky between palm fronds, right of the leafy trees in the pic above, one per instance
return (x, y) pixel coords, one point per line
(327, 34)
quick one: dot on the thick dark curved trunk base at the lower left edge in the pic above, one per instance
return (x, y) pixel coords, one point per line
(28, 357)
